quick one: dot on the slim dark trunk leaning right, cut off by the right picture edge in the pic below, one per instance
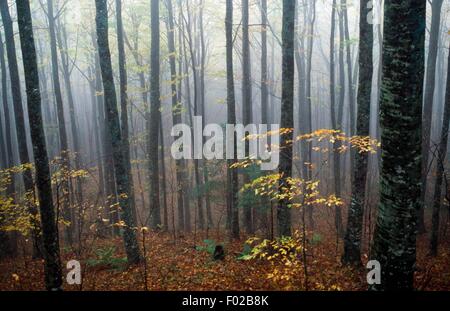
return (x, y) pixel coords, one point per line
(442, 152)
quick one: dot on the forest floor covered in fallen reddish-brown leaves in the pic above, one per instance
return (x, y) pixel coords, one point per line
(178, 265)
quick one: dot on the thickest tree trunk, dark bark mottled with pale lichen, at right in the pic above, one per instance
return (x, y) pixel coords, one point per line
(394, 244)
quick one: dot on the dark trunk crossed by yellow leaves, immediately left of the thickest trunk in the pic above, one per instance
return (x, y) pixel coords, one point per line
(352, 245)
